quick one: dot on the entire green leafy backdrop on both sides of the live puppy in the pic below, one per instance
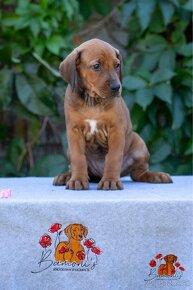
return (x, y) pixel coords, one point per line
(37, 35)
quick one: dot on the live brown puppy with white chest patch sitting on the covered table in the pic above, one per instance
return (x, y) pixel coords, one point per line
(102, 144)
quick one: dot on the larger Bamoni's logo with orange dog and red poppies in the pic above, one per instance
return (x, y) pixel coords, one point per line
(73, 252)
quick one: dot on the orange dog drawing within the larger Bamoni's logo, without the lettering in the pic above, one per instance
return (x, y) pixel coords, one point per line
(72, 250)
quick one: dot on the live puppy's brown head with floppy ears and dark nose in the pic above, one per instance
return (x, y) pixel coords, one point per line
(94, 66)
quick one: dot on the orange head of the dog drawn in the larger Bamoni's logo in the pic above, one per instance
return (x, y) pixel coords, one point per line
(76, 231)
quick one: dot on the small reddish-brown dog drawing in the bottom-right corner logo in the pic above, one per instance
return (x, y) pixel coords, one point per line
(168, 268)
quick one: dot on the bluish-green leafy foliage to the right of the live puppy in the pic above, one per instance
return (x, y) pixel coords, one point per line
(159, 80)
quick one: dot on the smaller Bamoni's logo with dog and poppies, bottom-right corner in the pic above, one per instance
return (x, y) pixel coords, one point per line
(165, 268)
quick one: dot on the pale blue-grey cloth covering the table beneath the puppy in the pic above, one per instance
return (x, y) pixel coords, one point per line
(129, 227)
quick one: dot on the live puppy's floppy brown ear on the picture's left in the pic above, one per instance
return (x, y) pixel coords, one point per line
(68, 69)
